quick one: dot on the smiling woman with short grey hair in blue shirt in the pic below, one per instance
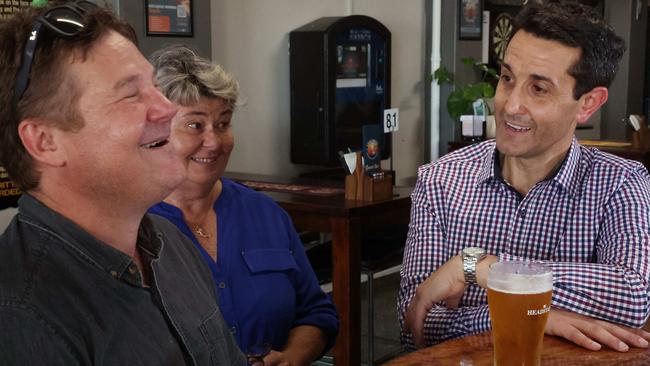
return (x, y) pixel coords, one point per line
(268, 293)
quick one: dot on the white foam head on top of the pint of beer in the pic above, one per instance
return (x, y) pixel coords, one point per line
(520, 277)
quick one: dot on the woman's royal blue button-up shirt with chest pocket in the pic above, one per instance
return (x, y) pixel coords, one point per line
(265, 283)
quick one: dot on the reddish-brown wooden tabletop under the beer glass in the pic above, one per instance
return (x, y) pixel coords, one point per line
(476, 350)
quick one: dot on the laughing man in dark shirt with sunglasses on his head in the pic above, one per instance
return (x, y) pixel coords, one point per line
(85, 276)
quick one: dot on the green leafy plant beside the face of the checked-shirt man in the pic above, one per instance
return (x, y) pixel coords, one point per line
(460, 100)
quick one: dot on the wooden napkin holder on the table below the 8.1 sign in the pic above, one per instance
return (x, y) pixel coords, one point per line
(362, 187)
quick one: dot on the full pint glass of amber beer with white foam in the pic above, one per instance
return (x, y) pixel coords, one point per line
(519, 298)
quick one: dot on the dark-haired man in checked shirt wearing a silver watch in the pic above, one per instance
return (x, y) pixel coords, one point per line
(535, 194)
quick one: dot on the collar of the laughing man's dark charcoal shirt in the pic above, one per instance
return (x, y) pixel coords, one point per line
(82, 243)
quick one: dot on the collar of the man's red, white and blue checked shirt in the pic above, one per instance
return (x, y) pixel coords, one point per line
(565, 177)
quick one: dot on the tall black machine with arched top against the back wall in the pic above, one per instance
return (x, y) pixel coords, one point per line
(340, 81)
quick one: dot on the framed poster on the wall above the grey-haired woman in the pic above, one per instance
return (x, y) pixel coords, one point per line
(169, 17)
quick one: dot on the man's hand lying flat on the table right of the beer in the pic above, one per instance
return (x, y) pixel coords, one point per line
(591, 333)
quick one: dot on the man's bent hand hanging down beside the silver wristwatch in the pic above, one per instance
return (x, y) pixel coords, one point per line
(447, 283)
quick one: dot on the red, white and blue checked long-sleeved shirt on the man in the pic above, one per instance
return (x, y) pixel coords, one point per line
(590, 223)
